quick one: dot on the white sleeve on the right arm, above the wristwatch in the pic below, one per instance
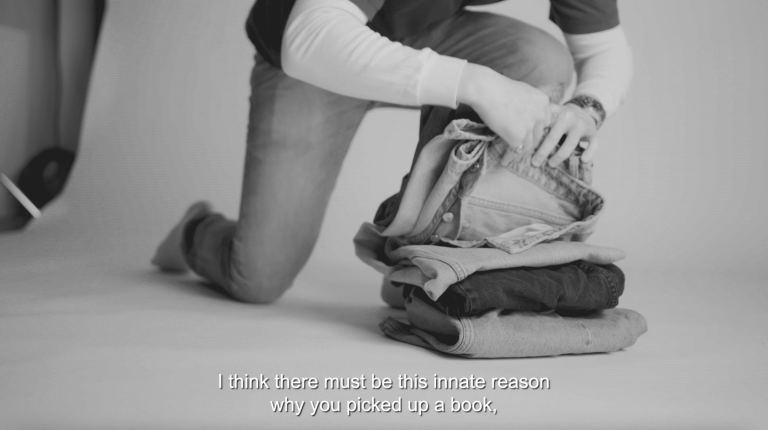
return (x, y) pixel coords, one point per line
(603, 66)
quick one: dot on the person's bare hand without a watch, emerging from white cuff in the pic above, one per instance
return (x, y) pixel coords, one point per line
(514, 110)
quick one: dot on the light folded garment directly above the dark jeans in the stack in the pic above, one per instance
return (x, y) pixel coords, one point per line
(435, 268)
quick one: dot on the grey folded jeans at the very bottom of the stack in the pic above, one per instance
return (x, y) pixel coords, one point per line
(505, 334)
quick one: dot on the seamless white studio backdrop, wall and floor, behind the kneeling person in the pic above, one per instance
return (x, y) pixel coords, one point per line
(95, 336)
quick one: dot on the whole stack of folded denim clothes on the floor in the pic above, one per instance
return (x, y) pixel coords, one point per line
(489, 260)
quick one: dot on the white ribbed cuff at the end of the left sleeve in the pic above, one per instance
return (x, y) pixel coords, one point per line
(439, 80)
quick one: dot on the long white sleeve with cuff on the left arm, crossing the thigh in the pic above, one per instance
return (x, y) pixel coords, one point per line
(326, 43)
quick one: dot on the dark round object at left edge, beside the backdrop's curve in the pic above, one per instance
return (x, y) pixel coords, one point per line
(44, 176)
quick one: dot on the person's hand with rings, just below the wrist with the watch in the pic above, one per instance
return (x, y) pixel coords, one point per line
(578, 127)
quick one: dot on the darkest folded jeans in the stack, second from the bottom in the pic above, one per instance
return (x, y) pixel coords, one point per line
(570, 289)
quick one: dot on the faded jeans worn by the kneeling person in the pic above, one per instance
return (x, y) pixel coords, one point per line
(298, 135)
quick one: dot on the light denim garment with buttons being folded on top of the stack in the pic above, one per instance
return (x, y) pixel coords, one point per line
(459, 194)
